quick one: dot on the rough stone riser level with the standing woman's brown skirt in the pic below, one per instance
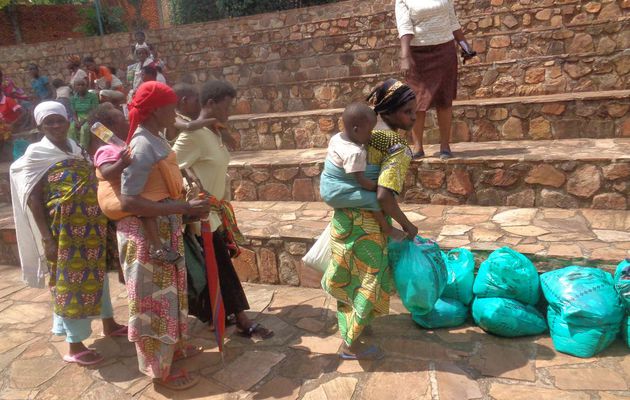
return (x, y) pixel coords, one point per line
(540, 75)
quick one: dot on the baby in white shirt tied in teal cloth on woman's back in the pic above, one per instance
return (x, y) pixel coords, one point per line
(344, 183)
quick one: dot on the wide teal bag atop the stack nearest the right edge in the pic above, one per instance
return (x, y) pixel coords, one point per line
(583, 296)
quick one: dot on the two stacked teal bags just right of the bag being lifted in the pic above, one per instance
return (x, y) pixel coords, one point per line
(451, 309)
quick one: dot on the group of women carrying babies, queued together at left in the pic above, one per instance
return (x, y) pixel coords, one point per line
(63, 195)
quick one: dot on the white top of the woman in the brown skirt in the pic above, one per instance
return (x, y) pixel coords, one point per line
(431, 22)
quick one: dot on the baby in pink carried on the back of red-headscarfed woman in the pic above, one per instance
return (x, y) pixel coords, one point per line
(110, 161)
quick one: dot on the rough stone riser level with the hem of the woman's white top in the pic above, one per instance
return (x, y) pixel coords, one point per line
(270, 54)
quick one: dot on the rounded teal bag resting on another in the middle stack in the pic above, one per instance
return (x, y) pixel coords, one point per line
(508, 274)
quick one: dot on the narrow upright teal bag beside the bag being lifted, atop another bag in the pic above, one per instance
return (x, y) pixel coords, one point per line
(460, 264)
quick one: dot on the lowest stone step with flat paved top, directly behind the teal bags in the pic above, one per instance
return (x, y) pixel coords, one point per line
(279, 233)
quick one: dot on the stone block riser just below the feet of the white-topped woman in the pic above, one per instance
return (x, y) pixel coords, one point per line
(521, 183)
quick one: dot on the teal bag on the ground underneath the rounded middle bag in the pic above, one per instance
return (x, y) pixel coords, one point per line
(508, 317)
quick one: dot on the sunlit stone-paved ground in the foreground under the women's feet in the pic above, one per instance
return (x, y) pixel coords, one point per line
(301, 361)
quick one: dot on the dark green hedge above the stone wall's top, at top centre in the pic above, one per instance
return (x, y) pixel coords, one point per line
(190, 11)
